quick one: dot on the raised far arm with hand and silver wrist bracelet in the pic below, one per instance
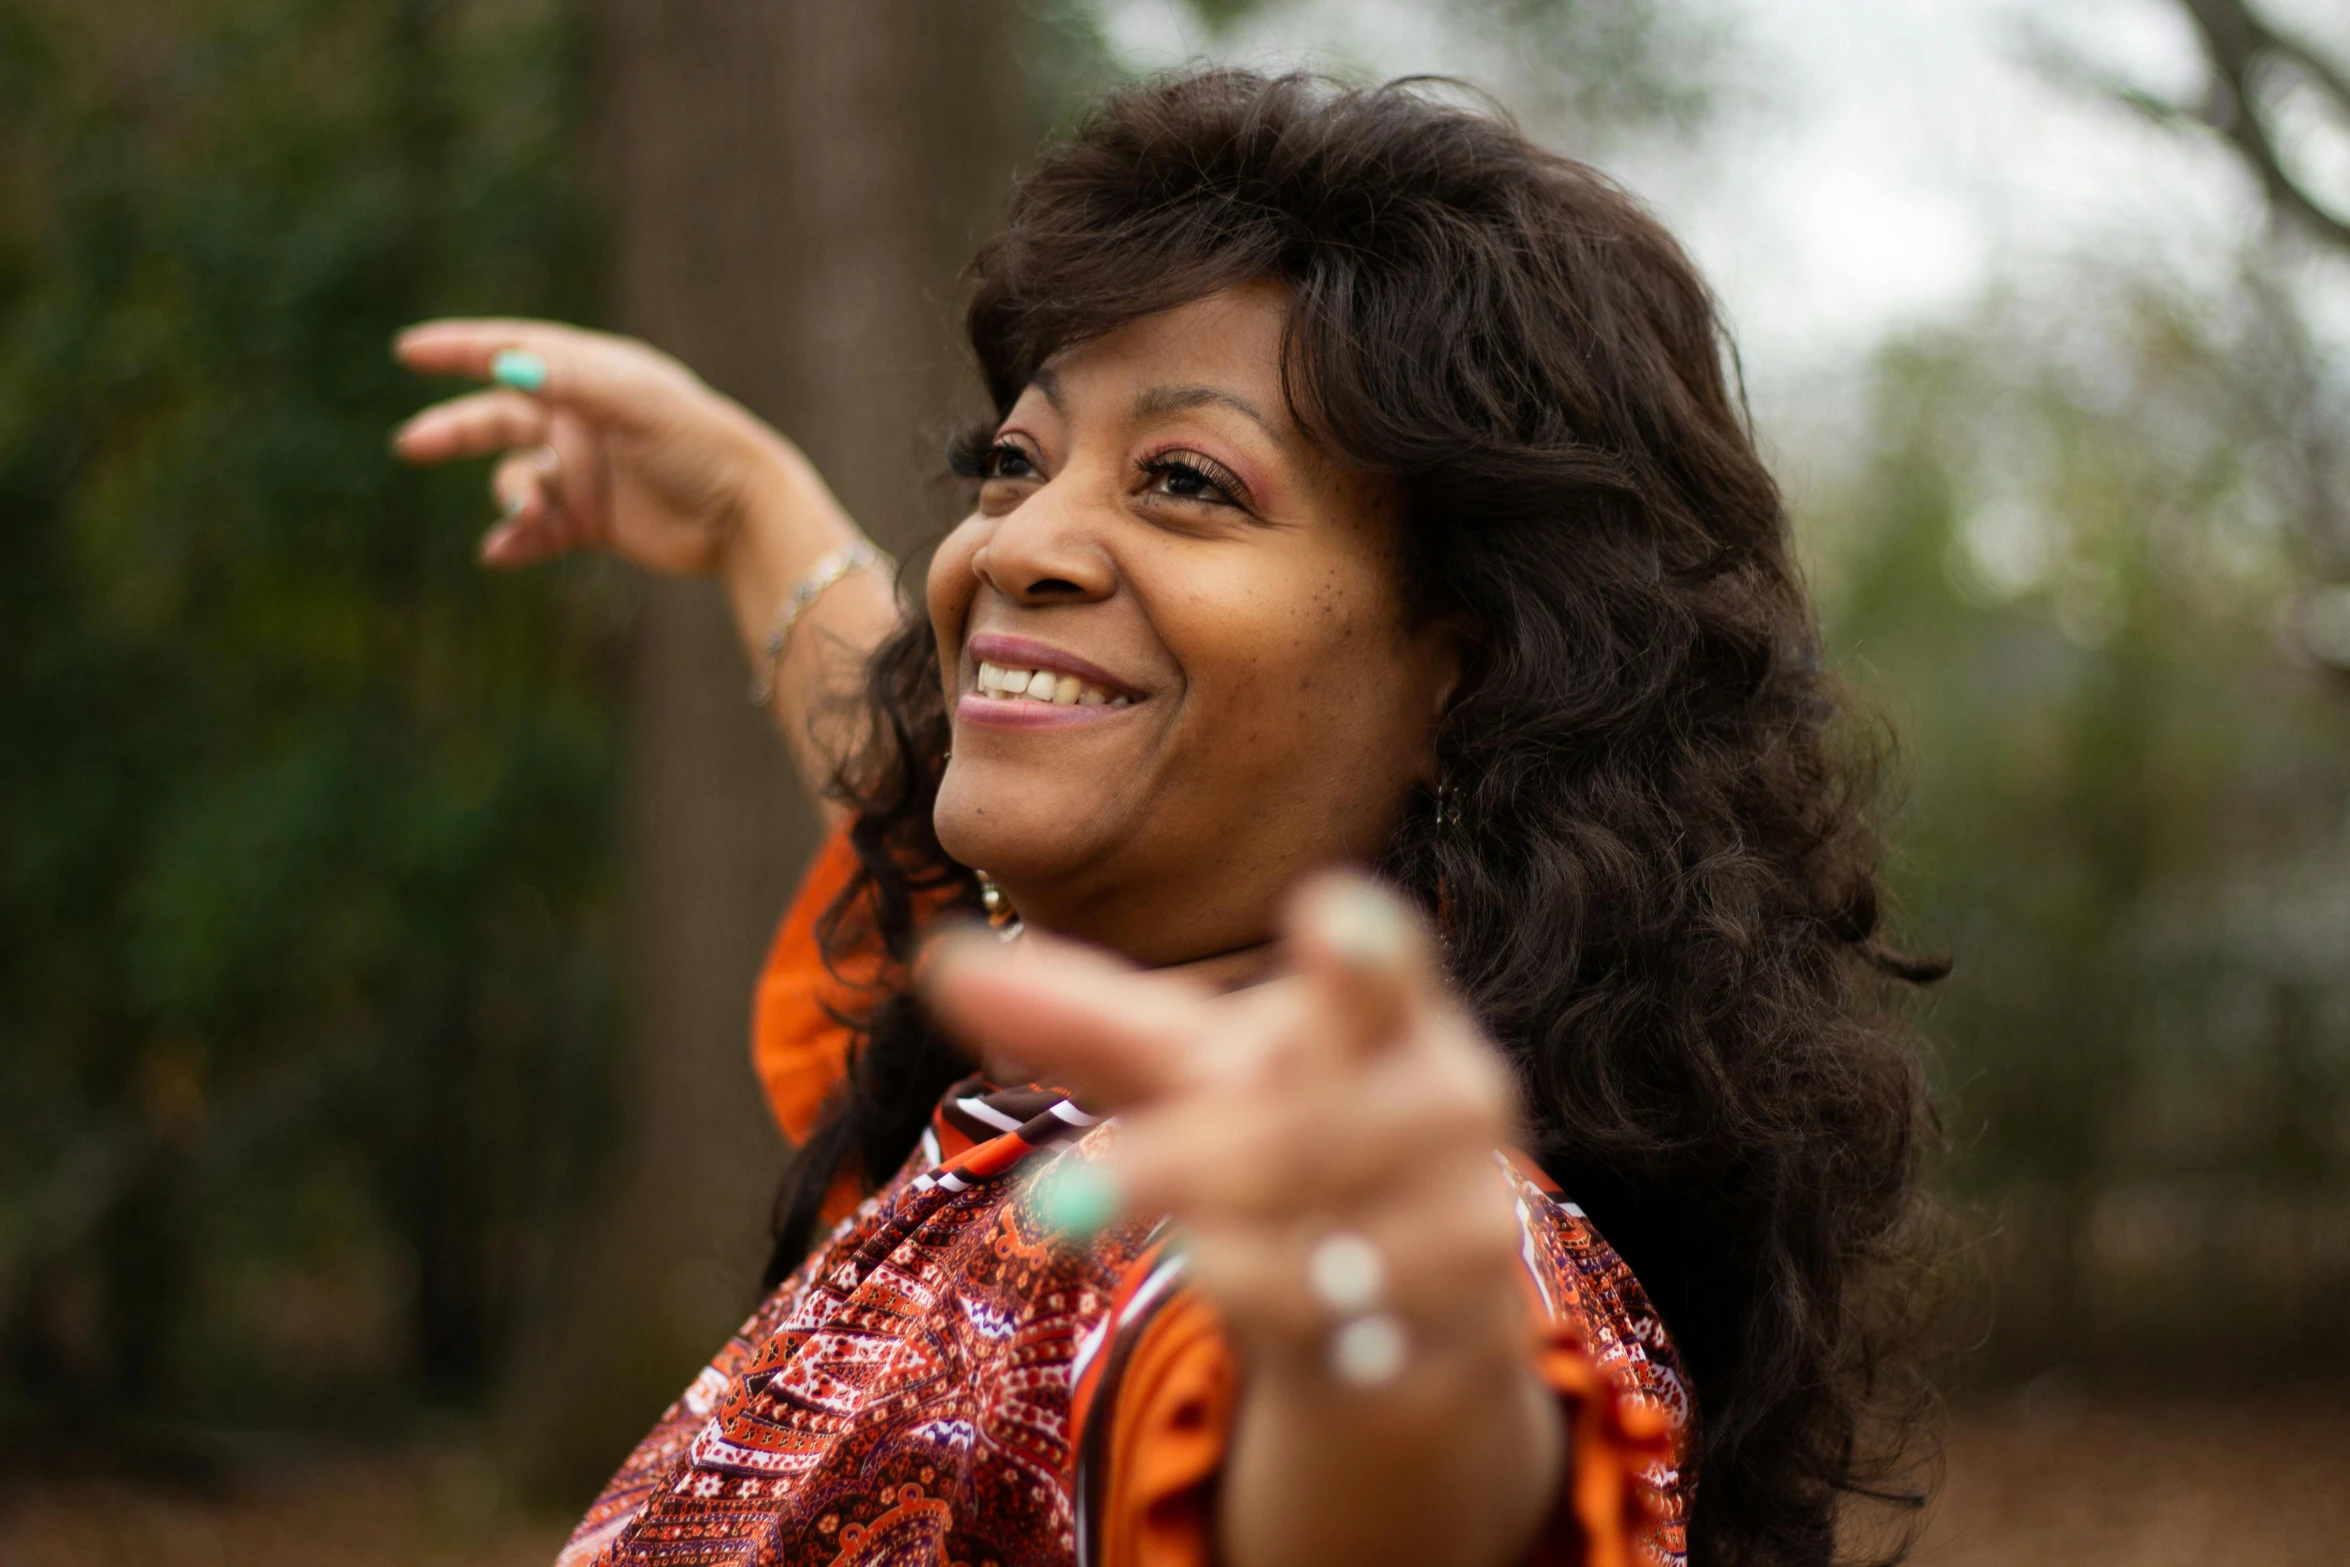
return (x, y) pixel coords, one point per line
(610, 445)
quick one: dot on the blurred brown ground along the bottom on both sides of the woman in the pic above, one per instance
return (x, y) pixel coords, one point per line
(2034, 1481)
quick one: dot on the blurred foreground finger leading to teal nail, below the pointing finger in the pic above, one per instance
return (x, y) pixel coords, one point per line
(1270, 1155)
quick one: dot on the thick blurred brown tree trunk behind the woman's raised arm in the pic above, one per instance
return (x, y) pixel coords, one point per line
(793, 189)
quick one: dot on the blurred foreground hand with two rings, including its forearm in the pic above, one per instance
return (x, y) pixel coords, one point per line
(1327, 1143)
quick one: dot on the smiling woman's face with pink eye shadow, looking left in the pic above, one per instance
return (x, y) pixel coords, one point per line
(1214, 610)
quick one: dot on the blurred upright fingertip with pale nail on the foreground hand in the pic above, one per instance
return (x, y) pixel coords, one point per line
(1367, 957)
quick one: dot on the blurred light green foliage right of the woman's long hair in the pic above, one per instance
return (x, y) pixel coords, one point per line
(2128, 814)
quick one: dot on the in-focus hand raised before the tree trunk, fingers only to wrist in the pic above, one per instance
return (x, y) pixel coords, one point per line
(605, 443)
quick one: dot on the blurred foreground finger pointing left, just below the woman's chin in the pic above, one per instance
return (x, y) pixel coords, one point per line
(1080, 1018)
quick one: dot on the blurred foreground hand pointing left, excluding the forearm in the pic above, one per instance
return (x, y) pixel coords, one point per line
(1348, 1096)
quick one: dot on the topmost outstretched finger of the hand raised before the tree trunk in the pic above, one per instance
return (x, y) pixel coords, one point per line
(605, 377)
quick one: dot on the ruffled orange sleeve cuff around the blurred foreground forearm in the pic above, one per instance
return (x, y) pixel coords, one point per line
(1174, 1423)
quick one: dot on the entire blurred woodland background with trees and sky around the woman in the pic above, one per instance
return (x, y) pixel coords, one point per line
(377, 1141)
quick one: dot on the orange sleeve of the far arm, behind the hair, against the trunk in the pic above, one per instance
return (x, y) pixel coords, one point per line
(798, 1044)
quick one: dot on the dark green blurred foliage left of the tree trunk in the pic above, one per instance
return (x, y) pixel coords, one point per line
(304, 823)
